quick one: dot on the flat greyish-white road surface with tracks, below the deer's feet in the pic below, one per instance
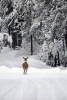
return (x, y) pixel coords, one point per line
(34, 88)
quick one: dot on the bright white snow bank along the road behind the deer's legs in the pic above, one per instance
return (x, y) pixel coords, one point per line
(31, 70)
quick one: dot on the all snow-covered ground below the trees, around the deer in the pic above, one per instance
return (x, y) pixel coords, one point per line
(40, 83)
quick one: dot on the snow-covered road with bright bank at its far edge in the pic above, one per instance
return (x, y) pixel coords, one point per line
(36, 85)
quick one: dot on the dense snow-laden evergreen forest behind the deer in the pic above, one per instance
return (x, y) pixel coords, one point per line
(38, 26)
